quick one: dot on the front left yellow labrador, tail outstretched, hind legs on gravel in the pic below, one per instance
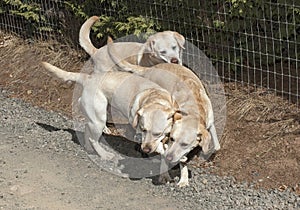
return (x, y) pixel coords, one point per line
(148, 107)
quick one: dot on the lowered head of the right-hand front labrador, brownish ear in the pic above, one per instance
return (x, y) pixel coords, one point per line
(187, 134)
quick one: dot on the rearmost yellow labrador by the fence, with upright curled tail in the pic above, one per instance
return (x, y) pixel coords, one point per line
(162, 47)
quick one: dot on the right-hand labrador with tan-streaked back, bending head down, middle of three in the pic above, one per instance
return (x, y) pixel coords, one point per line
(195, 126)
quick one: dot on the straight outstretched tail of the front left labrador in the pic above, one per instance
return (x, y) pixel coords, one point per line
(64, 75)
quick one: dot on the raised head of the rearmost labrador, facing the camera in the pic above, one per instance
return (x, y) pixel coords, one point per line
(164, 47)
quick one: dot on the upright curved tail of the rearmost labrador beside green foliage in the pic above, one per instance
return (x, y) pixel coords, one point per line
(84, 35)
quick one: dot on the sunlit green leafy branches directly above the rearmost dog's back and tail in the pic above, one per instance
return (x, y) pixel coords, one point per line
(122, 22)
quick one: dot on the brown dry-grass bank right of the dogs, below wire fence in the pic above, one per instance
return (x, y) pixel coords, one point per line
(260, 142)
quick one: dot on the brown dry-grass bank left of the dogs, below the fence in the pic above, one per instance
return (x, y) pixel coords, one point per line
(25, 78)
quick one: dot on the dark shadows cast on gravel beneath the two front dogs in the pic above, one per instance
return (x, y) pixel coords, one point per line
(136, 164)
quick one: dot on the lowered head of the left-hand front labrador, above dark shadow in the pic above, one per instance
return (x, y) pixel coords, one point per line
(153, 123)
